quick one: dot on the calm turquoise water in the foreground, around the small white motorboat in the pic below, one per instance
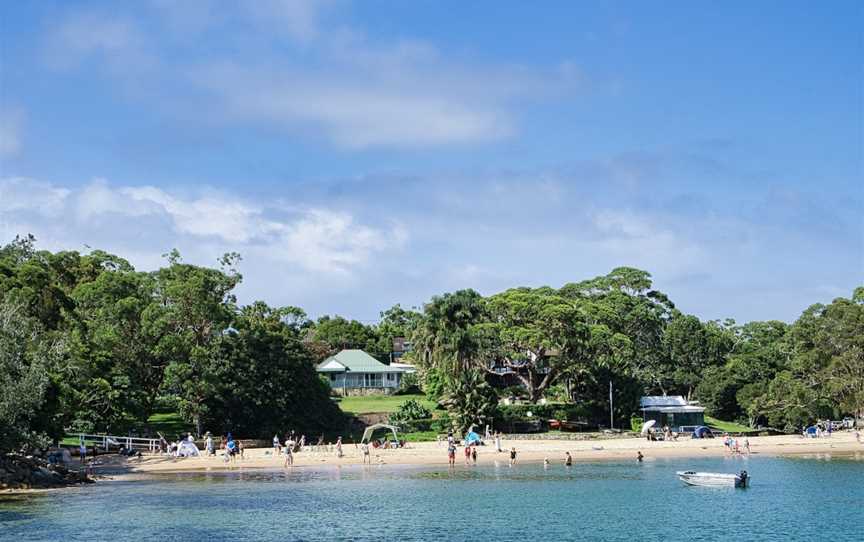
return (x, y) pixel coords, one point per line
(790, 499)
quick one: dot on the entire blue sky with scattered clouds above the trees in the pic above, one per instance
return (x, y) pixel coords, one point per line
(360, 154)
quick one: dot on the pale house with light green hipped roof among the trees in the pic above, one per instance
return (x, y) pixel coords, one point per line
(354, 372)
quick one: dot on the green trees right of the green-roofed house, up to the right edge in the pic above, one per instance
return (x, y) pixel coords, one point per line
(572, 341)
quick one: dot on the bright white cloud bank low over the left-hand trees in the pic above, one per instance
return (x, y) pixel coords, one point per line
(313, 239)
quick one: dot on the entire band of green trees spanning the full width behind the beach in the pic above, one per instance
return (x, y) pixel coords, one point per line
(90, 344)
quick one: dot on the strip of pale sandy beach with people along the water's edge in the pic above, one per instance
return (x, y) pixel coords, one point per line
(435, 454)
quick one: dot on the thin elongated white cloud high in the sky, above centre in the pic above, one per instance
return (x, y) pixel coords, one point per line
(356, 114)
